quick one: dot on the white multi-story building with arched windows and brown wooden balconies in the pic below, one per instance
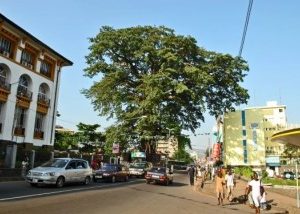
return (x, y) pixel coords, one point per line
(29, 86)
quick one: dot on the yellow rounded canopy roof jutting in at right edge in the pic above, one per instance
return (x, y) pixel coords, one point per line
(291, 136)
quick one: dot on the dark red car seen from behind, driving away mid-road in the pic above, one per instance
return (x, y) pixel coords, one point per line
(159, 175)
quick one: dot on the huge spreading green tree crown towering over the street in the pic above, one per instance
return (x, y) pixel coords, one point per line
(151, 71)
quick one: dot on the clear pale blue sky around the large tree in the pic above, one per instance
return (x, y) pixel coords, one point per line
(271, 45)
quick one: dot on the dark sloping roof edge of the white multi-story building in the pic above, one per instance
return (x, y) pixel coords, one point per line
(17, 27)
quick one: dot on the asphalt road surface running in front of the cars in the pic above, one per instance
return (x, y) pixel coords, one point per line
(133, 197)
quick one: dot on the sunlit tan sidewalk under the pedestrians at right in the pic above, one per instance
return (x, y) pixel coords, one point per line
(279, 203)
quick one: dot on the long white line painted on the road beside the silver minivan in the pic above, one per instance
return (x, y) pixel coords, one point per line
(65, 191)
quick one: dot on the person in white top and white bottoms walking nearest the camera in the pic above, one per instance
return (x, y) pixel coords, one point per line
(255, 188)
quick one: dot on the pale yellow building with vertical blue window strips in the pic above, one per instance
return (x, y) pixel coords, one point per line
(247, 136)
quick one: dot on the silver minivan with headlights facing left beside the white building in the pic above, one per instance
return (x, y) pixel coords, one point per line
(59, 171)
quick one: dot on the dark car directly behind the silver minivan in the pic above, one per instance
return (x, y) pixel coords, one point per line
(111, 172)
